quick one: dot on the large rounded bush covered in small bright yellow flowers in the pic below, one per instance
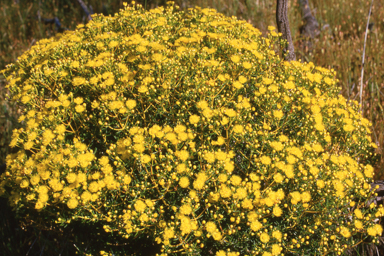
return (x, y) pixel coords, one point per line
(188, 128)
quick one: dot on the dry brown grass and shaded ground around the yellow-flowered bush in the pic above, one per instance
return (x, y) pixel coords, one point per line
(339, 47)
